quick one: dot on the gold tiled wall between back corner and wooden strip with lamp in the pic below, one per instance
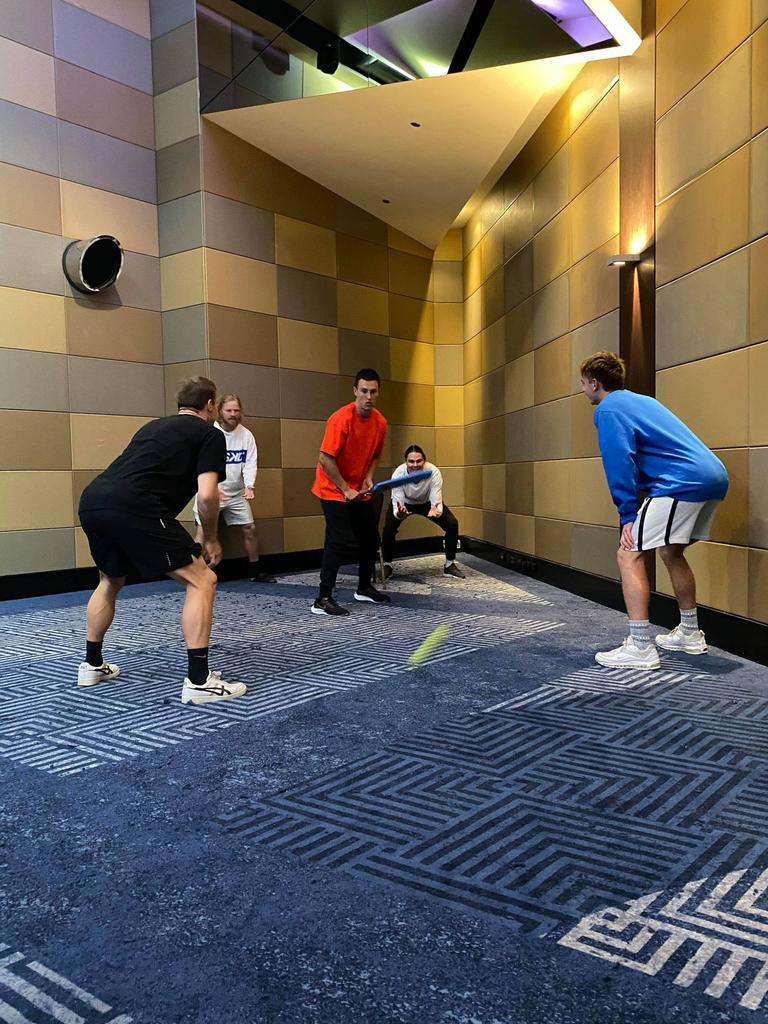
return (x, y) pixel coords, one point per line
(538, 298)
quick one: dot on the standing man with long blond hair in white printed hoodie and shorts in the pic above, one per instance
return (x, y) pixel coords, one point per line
(237, 490)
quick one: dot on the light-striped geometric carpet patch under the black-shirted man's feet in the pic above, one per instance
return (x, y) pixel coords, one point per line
(51, 724)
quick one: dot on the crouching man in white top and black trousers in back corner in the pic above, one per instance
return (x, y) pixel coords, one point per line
(424, 498)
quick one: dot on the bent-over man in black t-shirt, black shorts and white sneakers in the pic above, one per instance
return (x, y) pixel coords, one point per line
(130, 517)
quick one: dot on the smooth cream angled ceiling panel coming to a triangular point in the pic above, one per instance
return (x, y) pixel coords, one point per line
(362, 144)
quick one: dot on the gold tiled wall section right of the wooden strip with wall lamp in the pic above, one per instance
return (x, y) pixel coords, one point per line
(712, 268)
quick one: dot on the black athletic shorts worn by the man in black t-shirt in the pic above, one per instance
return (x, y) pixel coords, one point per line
(125, 543)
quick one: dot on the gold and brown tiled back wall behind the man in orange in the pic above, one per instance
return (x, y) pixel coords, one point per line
(302, 289)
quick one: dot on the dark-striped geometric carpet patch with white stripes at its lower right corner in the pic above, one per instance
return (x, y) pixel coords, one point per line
(625, 814)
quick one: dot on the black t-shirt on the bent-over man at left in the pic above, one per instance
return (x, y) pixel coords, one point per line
(158, 473)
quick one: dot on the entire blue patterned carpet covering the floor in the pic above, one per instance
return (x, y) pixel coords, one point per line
(506, 834)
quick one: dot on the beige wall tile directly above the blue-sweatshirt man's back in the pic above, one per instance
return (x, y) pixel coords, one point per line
(708, 397)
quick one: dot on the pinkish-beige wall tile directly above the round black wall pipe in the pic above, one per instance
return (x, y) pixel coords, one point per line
(87, 212)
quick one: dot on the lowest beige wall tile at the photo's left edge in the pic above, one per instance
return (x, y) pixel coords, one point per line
(36, 500)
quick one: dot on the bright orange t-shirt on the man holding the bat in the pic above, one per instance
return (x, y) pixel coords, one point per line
(355, 443)
